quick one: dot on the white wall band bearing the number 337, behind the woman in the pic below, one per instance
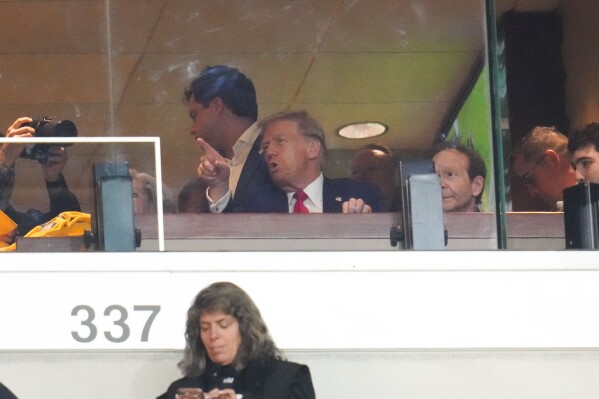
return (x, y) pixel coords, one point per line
(336, 301)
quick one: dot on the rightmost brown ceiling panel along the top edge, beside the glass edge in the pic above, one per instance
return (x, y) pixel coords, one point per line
(407, 26)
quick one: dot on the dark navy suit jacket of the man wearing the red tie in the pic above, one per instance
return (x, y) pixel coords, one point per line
(269, 198)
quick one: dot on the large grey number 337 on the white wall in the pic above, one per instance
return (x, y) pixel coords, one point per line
(120, 330)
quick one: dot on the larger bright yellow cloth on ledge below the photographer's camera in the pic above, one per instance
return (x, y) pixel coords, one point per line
(67, 224)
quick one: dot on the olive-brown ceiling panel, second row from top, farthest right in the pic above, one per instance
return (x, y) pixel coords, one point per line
(363, 78)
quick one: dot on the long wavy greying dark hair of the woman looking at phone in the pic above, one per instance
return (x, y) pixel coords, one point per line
(256, 343)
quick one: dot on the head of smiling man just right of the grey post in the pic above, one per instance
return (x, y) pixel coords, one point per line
(459, 192)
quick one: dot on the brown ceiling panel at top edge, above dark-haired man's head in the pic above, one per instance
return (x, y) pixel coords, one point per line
(255, 26)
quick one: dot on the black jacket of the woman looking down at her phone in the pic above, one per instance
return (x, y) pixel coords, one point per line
(274, 379)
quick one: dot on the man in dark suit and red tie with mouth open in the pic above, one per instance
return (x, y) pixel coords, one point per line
(293, 146)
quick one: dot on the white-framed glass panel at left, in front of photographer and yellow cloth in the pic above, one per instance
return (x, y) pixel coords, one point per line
(114, 207)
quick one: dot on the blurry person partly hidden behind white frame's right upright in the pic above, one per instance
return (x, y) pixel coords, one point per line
(144, 194)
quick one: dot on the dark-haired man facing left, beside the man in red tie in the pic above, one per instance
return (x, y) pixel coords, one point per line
(222, 105)
